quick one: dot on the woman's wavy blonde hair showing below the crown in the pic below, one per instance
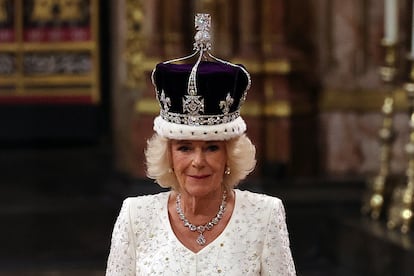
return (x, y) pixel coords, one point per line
(241, 160)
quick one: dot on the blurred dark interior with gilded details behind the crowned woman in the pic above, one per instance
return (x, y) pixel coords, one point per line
(329, 111)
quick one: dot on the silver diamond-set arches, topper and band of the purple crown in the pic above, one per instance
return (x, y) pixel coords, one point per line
(193, 104)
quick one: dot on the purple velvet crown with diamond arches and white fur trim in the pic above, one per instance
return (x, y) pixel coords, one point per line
(201, 100)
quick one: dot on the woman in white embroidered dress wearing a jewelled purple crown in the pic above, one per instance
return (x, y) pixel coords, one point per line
(203, 225)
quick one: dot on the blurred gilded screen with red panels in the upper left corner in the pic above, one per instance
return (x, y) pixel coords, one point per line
(49, 51)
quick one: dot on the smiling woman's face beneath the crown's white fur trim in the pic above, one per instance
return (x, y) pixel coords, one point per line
(199, 165)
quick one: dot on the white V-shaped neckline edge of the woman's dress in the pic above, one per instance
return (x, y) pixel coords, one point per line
(229, 225)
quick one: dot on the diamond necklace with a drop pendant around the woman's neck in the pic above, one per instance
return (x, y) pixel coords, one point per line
(201, 240)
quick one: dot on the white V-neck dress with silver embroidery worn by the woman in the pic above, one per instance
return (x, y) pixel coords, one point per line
(255, 241)
